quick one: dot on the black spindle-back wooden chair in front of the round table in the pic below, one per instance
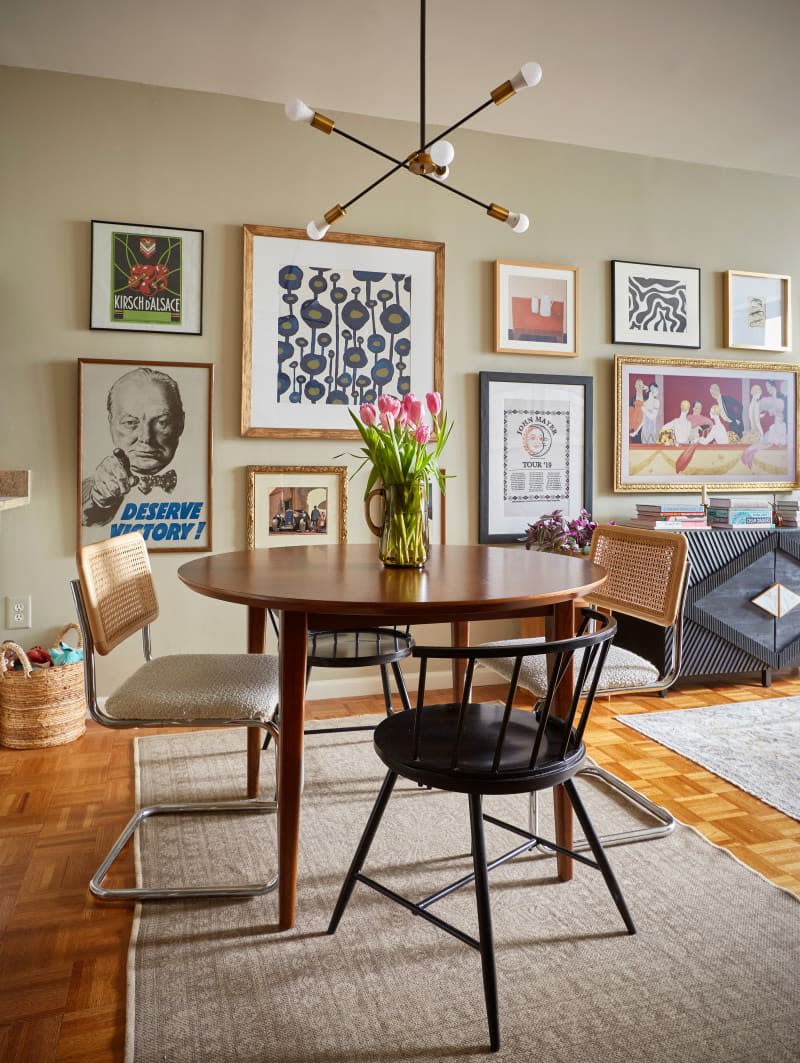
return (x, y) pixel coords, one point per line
(493, 749)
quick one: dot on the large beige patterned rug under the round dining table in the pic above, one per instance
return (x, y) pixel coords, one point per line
(711, 976)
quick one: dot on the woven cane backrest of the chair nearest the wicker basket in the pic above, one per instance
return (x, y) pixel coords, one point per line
(118, 589)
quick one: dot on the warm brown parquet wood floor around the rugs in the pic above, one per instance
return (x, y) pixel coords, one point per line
(63, 955)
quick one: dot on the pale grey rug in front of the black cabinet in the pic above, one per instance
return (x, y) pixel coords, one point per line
(753, 745)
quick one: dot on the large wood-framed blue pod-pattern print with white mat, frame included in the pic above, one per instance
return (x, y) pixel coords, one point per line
(335, 325)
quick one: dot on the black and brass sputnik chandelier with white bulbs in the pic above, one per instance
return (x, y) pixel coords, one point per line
(433, 159)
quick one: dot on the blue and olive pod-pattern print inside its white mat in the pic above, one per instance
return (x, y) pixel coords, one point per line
(344, 335)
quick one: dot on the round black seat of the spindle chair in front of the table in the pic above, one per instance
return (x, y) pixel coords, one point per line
(472, 771)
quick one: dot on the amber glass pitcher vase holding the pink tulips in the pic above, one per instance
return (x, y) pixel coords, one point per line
(404, 530)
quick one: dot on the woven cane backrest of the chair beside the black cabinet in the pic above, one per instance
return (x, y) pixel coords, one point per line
(645, 572)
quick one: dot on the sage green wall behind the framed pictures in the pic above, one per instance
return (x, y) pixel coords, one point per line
(78, 148)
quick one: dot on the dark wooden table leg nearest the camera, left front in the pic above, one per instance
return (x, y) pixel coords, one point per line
(294, 639)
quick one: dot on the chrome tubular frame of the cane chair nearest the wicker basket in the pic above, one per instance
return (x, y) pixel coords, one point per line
(249, 807)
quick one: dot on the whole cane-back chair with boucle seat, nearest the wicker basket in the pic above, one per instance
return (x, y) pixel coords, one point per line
(115, 599)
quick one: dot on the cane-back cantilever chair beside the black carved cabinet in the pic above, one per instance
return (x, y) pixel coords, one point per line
(648, 578)
